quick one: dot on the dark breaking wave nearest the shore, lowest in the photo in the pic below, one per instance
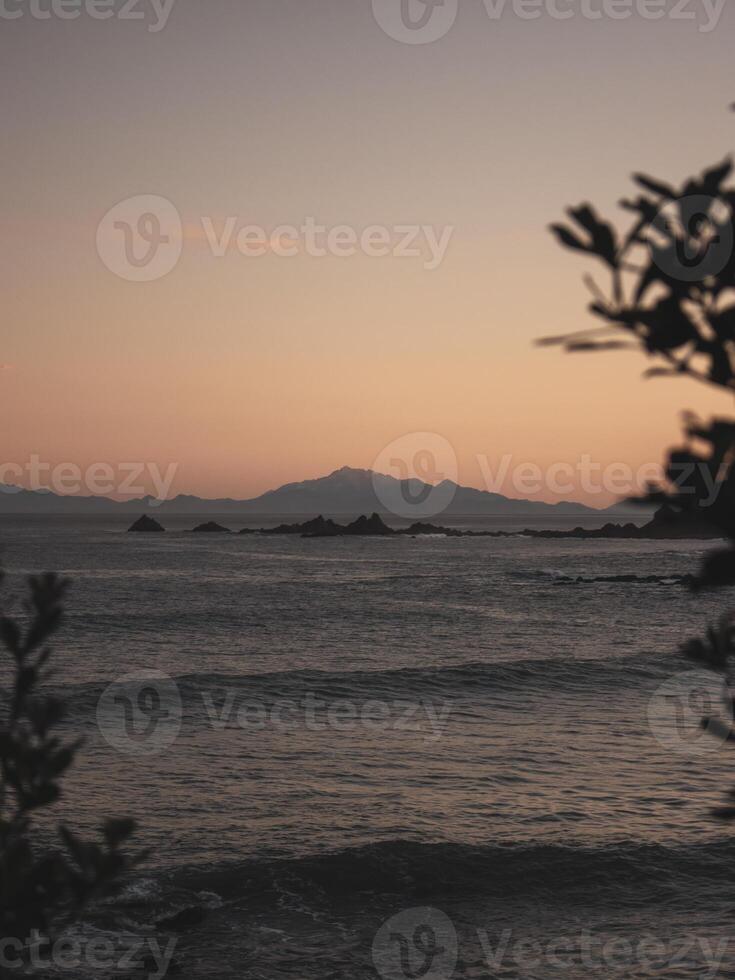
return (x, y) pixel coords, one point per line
(414, 869)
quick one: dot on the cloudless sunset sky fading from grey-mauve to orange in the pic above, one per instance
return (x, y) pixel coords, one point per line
(246, 370)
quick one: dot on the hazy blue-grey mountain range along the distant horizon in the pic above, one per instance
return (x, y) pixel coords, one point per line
(345, 492)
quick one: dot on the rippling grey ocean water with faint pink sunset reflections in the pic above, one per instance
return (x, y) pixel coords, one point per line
(364, 757)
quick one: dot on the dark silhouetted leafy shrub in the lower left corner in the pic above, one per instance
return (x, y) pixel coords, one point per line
(42, 888)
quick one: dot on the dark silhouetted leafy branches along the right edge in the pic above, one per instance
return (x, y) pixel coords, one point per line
(672, 295)
